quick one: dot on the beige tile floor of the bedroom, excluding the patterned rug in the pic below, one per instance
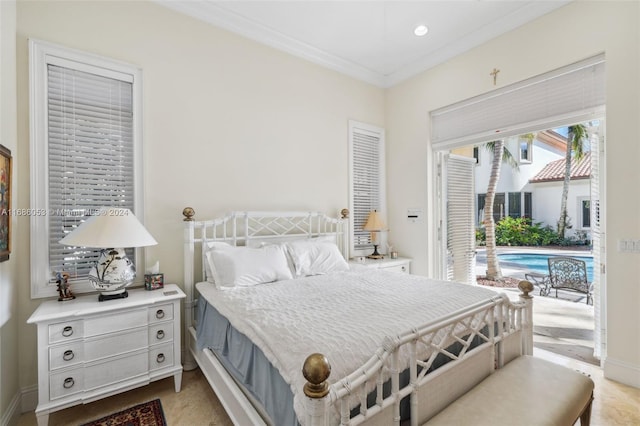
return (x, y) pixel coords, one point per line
(196, 405)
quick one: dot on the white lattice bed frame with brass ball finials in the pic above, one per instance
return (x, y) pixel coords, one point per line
(512, 337)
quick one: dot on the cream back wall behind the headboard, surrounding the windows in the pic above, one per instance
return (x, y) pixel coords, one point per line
(229, 124)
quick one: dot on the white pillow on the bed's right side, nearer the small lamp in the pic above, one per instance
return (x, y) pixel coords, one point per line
(313, 257)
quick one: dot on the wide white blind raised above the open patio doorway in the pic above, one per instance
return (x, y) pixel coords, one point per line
(571, 94)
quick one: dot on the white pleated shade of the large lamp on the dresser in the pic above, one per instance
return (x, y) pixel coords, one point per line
(110, 227)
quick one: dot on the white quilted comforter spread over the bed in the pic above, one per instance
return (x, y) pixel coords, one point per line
(344, 316)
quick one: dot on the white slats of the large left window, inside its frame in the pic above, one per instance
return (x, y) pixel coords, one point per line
(90, 157)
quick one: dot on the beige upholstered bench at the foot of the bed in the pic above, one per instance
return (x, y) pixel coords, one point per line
(526, 391)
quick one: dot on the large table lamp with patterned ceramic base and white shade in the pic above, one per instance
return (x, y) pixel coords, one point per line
(112, 229)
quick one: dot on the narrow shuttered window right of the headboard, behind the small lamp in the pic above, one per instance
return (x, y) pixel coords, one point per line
(367, 176)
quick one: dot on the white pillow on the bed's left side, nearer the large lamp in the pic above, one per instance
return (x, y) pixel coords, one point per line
(245, 266)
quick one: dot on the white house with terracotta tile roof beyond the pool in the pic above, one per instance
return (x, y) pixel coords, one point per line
(534, 190)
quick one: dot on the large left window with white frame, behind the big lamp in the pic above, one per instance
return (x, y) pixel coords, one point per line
(85, 154)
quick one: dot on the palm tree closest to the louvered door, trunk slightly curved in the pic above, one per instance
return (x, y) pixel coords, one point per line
(500, 155)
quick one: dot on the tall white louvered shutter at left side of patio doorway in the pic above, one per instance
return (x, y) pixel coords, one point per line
(460, 212)
